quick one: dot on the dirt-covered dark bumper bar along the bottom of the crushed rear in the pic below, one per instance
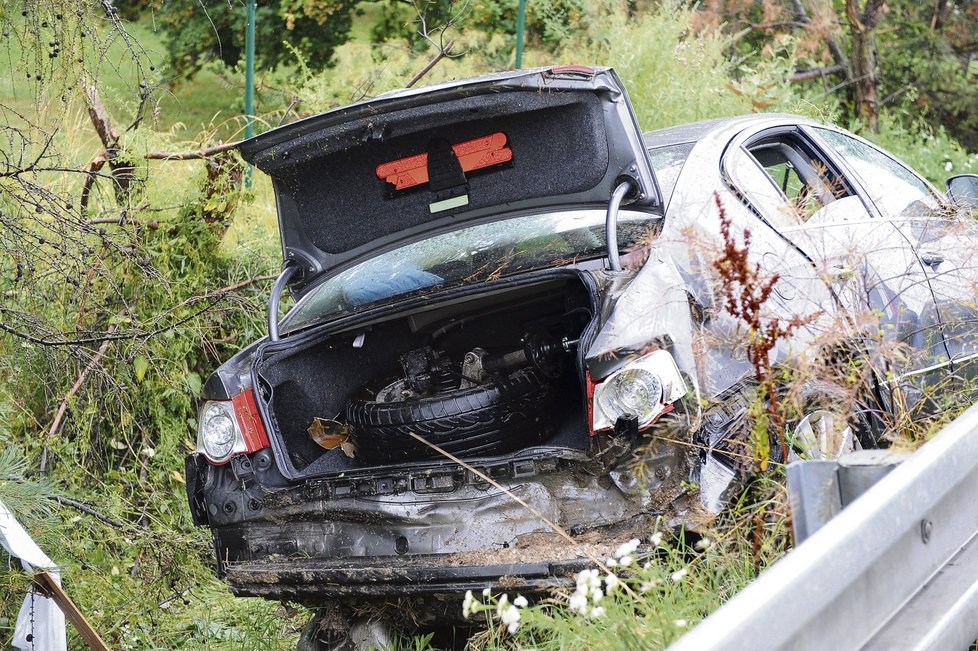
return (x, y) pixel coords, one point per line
(312, 581)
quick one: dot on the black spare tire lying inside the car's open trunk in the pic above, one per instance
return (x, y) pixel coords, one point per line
(514, 412)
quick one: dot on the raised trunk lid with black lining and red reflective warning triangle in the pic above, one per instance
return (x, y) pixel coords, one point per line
(372, 176)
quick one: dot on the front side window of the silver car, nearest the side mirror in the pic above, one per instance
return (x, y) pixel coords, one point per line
(894, 189)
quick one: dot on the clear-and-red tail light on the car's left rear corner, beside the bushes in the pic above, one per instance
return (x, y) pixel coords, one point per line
(229, 427)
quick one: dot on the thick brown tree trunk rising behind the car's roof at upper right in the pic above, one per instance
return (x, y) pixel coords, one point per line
(862, 22)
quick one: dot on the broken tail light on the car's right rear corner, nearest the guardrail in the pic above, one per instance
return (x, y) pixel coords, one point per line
(643, 389)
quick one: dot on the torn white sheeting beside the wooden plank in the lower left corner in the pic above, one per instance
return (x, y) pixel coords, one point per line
(40, 623)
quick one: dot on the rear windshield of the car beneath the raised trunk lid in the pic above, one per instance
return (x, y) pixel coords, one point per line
(473, 254)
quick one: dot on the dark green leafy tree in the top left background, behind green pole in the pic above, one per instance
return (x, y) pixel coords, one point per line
(213, 30)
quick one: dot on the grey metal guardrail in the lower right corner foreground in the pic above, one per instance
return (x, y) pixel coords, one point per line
(895, 569)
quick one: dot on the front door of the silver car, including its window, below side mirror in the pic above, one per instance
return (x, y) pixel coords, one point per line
(945, 242)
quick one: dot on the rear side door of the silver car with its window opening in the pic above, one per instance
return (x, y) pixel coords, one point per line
(866, 262)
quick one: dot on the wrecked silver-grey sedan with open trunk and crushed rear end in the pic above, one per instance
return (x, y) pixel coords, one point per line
(503, 289)
